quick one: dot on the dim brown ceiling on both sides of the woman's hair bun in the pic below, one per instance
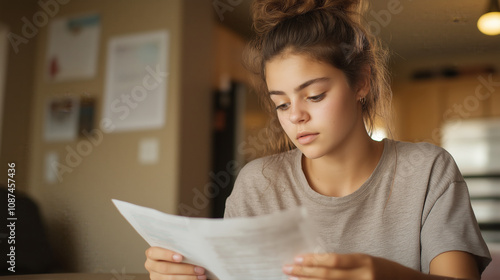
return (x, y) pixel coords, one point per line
(422, 28)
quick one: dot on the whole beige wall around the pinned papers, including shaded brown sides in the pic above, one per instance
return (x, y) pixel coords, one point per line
(86, 231)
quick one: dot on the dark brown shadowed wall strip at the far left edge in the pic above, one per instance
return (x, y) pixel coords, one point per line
(19, 85)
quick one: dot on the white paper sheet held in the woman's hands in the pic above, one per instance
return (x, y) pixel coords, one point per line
(237, 248)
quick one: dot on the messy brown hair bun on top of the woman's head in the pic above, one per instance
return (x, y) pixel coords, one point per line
(268, 13)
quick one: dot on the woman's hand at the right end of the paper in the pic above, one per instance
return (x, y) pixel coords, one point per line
(336, 266)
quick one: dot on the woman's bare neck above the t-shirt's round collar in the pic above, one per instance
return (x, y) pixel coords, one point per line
(342, 173)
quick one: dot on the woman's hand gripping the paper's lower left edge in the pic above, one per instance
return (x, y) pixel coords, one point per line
(164, 264)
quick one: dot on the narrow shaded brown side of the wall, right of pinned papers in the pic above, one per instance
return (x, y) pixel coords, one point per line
(195, 124)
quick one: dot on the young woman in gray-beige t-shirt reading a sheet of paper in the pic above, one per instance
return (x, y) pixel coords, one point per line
(385, 210)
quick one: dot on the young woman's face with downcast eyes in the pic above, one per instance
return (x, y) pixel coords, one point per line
(315, 105)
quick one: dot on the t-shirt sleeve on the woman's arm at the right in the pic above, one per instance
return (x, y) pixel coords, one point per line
(449, 223)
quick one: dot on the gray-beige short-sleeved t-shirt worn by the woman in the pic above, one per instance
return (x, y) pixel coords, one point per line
(413, 207)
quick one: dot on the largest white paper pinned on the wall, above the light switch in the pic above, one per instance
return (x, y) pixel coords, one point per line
(136, 81)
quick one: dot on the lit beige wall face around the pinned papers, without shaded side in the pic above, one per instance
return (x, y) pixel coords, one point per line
(86, 230)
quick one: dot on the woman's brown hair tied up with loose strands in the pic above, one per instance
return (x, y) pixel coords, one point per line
(330, 31)
